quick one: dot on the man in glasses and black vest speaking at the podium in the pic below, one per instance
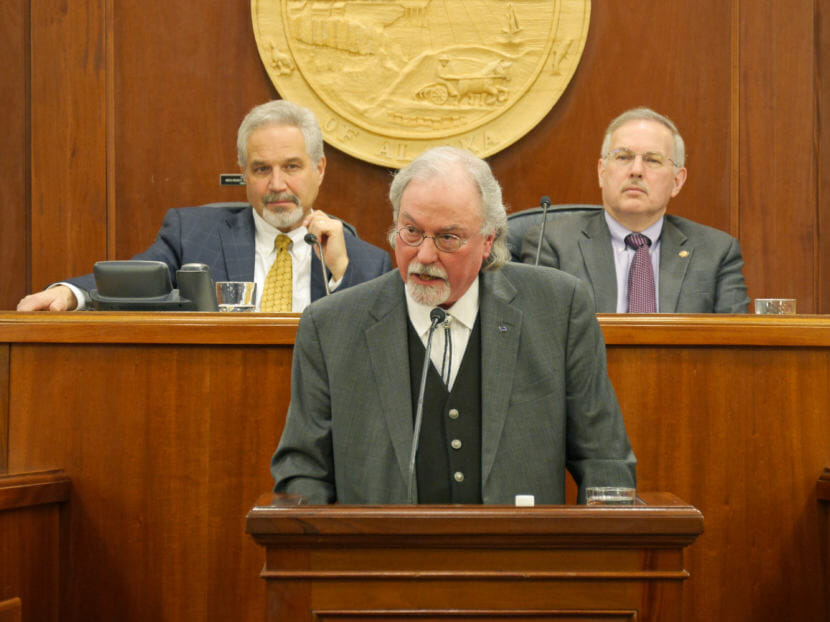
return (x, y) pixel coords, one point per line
(515, 388)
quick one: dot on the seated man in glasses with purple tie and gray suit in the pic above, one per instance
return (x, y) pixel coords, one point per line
(633, 256)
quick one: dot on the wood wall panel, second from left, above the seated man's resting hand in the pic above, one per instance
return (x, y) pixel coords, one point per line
(68, 121)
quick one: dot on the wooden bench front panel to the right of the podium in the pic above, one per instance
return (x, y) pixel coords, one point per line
(710, 424)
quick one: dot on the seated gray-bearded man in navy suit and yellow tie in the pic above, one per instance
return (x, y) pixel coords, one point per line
(280, 151)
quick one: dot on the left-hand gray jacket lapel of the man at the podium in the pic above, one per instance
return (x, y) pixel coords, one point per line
(387, 325)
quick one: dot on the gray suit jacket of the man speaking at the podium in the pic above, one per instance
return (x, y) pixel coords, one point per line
(547, 402)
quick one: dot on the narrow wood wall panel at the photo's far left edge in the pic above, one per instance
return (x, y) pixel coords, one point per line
(14, 152)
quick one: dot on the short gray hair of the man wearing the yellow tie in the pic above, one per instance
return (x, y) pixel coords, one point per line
(280, 112)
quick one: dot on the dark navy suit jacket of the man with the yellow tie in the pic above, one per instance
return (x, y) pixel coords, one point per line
(223, 238)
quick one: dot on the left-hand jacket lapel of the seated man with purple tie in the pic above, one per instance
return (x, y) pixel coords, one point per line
(597, 255)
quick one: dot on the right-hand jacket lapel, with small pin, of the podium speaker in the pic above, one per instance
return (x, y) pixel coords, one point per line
(501, 325)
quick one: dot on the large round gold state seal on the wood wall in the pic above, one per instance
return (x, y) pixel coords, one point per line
(389, 79)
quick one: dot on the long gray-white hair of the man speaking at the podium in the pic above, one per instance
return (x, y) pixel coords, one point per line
(436, 163)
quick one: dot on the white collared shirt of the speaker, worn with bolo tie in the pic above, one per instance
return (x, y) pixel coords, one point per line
(463, 317)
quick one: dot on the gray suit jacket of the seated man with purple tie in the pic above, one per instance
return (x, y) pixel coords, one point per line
(700, 267)
